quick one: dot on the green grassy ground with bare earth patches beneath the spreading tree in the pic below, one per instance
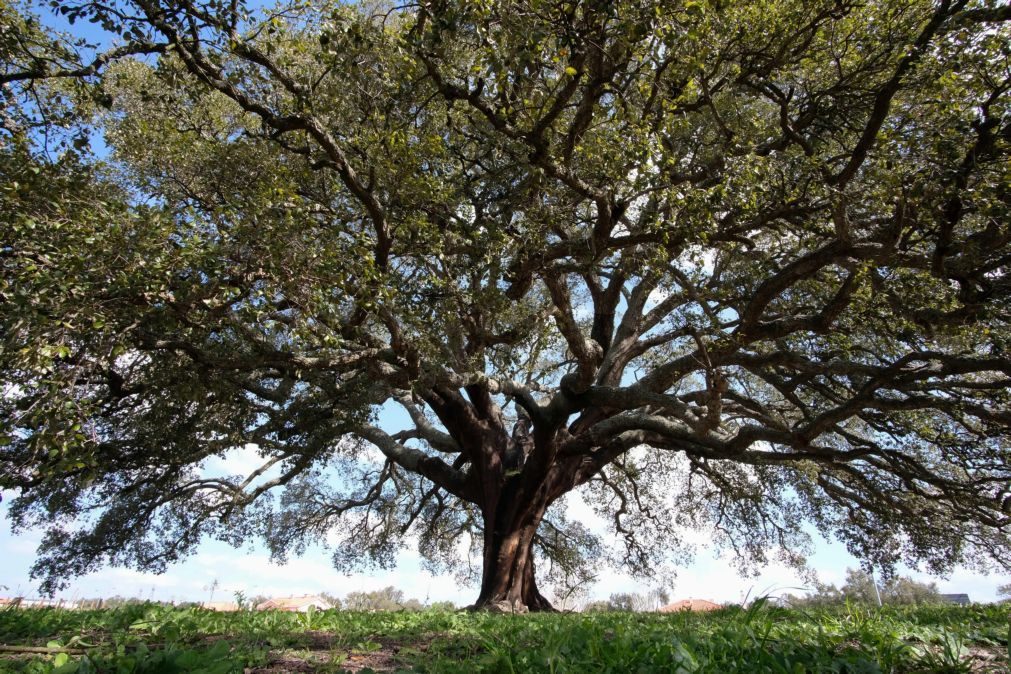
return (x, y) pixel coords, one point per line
(856, 639)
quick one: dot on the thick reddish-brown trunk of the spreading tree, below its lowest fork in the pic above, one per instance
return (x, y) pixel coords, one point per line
(508, 583)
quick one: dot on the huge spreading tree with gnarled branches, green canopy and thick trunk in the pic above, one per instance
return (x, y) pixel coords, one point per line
(742, 266)
